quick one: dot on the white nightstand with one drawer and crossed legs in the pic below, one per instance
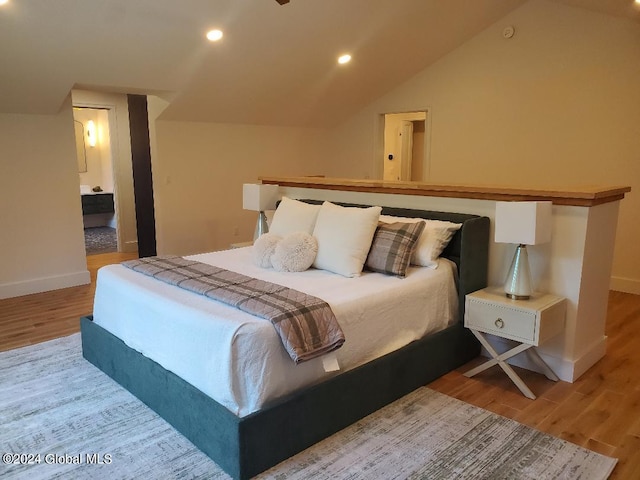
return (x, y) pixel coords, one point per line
(529, 322)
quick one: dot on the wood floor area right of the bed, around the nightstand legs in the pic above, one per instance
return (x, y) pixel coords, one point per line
(600, 411)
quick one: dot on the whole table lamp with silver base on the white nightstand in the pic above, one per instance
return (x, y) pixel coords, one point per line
(522, 223)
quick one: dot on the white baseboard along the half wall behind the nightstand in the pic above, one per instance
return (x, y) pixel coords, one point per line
(566, 370)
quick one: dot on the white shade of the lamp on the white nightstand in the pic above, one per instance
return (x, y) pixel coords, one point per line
(527, 223)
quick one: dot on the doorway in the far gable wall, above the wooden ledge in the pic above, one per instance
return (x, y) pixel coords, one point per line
(405, 146)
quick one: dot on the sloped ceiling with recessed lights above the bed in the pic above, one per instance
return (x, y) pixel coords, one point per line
(276, 64)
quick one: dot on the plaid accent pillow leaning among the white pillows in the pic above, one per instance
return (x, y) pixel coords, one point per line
(392, 247)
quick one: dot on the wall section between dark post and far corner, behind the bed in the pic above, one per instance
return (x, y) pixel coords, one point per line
(198, 172)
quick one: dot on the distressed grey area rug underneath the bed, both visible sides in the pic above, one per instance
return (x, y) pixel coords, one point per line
(63, 418)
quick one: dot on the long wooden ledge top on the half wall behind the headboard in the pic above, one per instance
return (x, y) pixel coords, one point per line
(582, 196)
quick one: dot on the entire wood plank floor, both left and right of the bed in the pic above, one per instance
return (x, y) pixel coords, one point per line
(600, 411)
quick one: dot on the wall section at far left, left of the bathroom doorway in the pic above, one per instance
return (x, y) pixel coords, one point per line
(41, 234)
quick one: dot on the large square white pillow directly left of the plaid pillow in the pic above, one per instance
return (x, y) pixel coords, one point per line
(344, 237)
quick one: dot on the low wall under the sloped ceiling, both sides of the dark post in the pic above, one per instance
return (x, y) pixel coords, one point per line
(198, 171)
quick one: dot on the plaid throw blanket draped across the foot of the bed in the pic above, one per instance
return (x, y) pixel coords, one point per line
(306, 325)
